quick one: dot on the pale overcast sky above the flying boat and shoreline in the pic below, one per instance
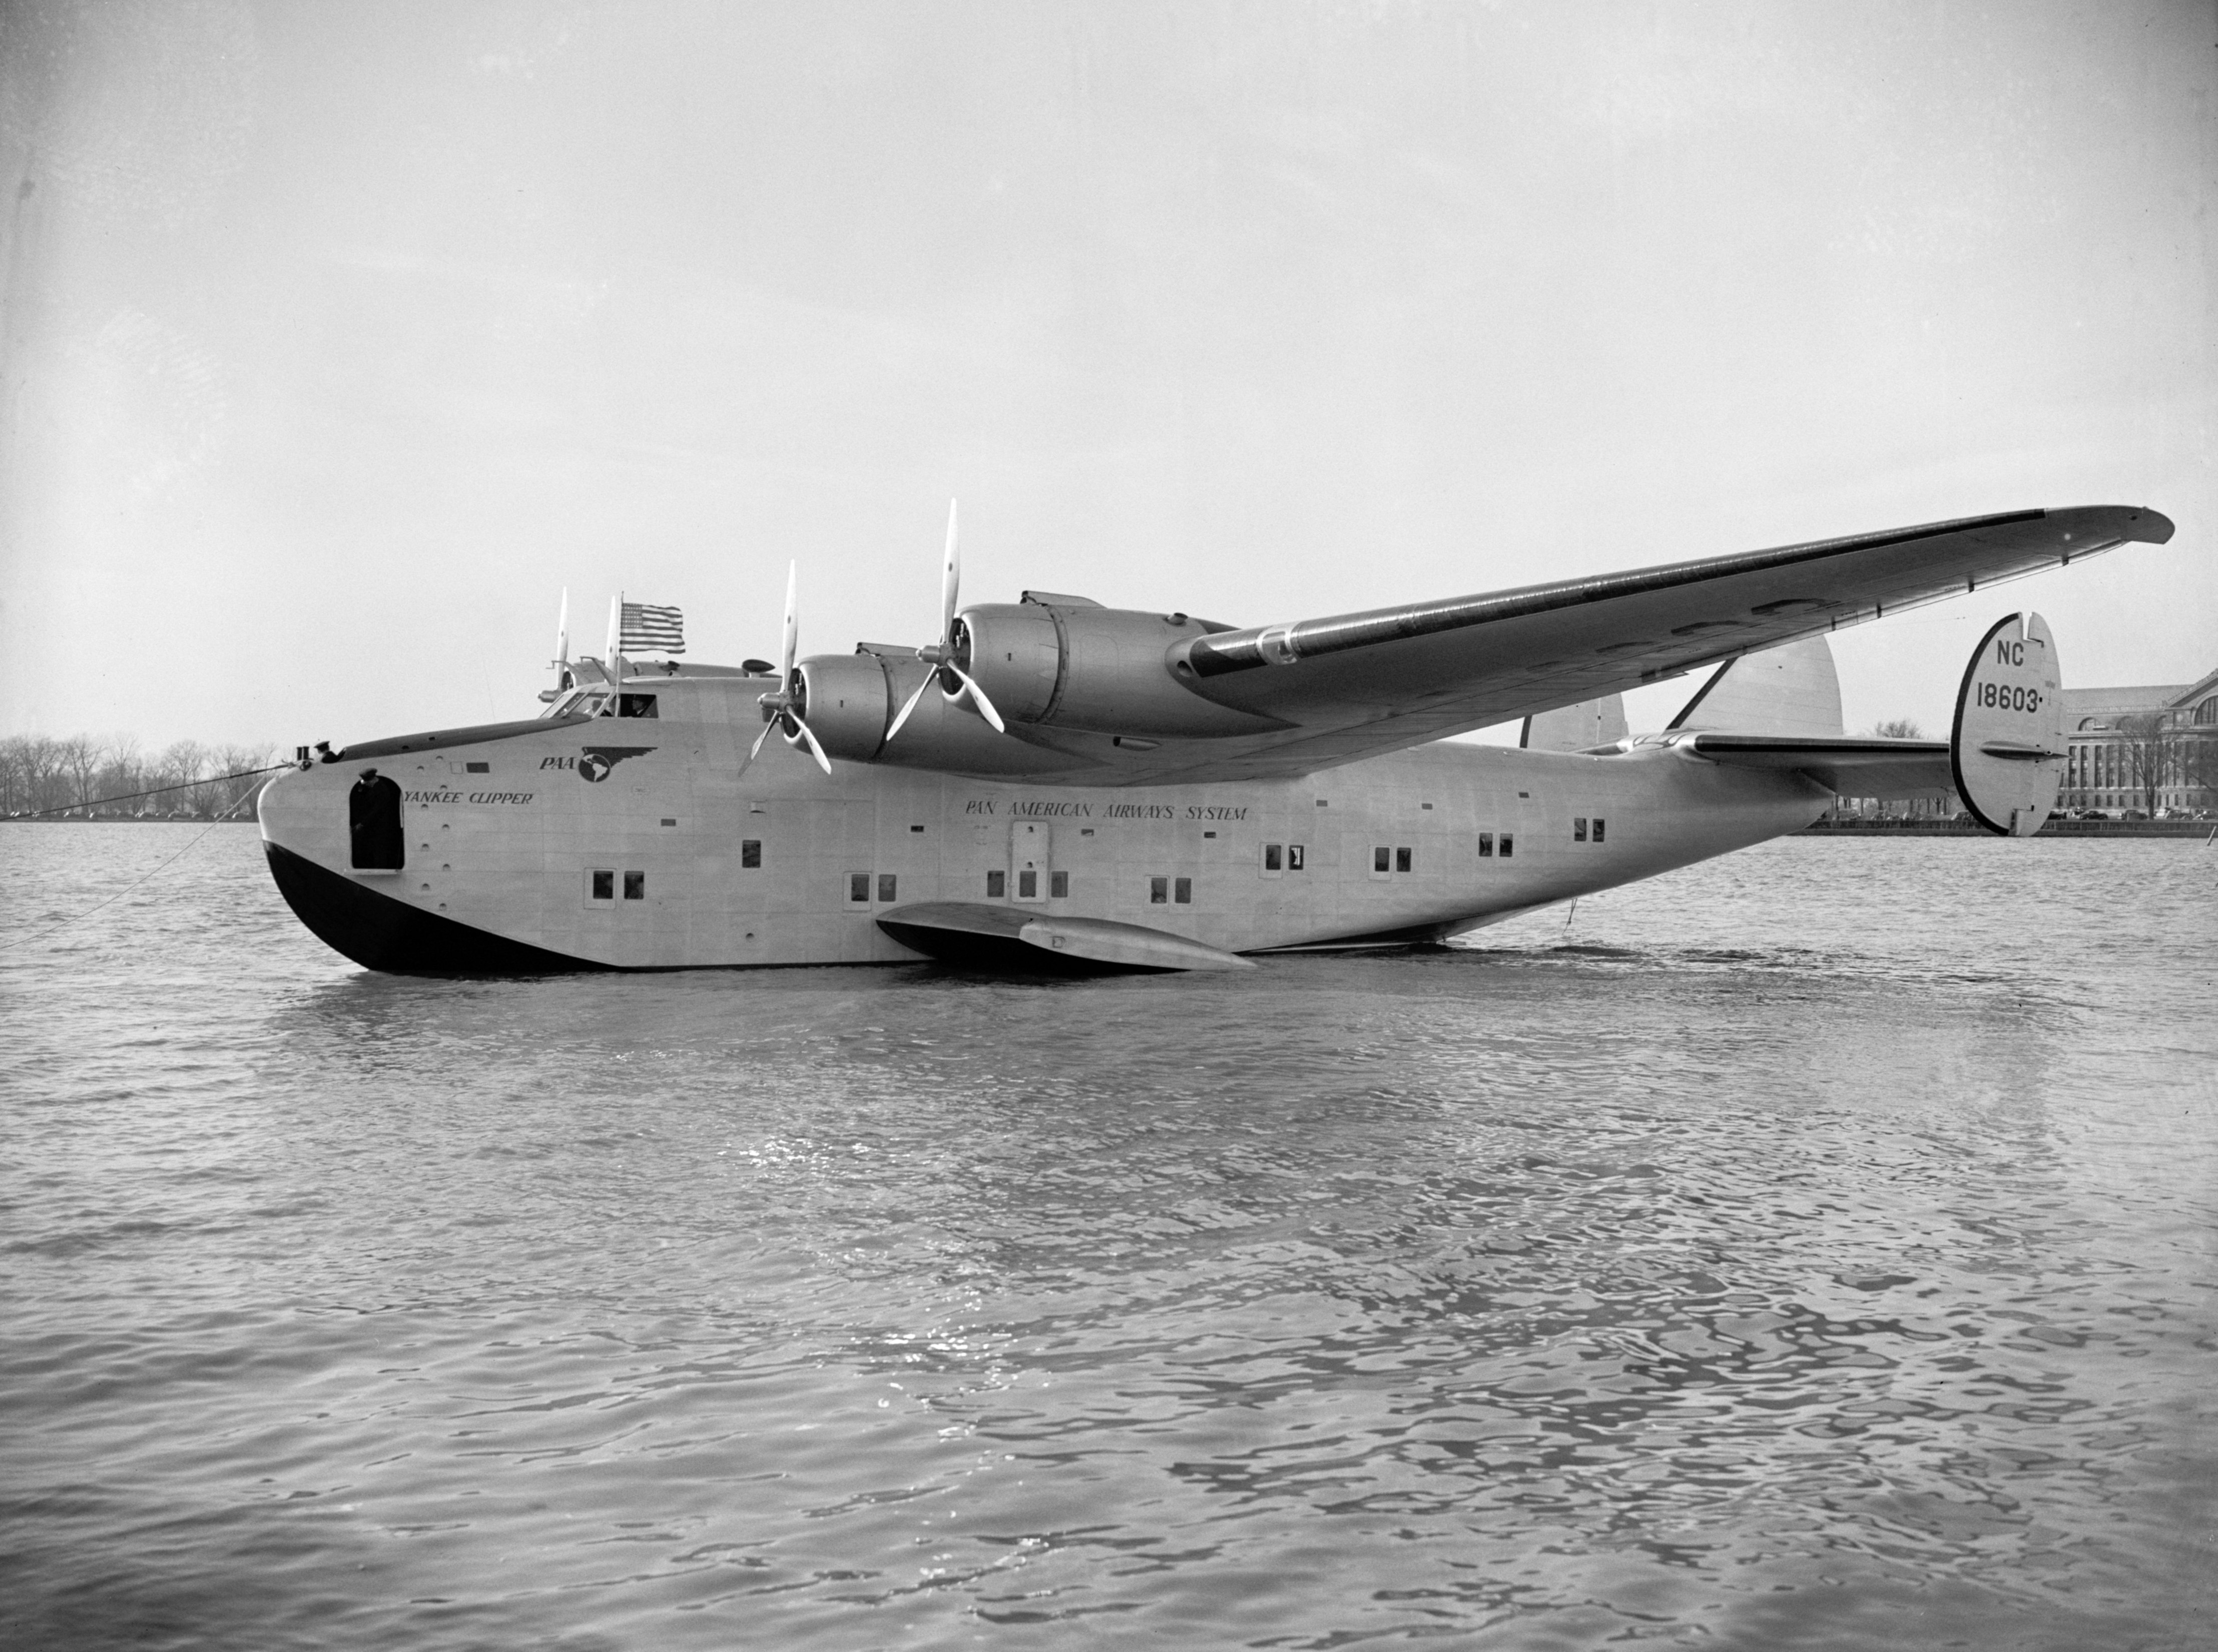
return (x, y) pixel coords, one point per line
(340, 338)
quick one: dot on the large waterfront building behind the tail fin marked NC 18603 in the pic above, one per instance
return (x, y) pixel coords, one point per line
(2141, 748)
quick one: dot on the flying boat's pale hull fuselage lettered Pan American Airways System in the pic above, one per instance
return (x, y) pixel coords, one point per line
(635, 844)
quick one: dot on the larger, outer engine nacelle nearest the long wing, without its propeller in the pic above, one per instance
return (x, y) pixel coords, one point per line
(1101, 671)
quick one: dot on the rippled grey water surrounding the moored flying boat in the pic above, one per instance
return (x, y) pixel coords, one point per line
(1804, 1250)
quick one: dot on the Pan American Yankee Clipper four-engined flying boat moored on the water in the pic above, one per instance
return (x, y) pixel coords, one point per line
(1059, 786)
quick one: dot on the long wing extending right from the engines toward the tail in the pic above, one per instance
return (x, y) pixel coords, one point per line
(1394, 677)
